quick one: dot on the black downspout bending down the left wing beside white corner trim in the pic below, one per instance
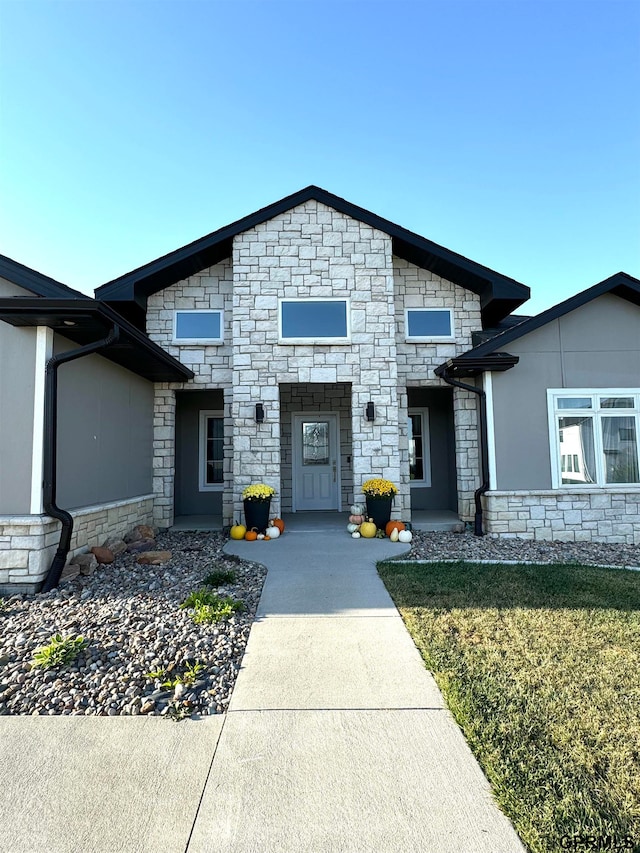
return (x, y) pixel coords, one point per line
(51, 451)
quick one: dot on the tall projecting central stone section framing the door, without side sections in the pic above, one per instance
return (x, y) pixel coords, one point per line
(313, 250)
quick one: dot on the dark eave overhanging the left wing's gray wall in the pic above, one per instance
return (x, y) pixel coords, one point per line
(91, 320)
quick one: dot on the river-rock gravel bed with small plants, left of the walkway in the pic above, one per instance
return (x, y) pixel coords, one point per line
(130, 615)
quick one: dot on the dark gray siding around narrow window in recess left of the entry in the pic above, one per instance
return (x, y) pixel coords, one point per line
(189, 500)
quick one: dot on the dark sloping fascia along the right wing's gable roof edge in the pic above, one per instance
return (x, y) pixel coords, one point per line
(621, 284)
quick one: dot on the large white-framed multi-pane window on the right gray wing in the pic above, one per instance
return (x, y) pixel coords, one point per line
(594, 436)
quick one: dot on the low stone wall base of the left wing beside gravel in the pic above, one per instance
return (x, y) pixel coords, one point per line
(28, 542)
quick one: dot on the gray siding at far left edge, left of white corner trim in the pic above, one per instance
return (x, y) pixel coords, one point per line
(17, 377)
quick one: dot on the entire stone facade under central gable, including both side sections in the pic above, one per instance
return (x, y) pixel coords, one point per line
(312, 250)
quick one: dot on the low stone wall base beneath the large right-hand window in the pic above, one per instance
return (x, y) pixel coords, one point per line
(587, 515)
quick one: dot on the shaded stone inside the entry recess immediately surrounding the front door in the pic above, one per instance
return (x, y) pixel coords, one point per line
(316, 398)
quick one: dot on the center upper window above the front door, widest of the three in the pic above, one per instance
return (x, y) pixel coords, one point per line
(314, 320)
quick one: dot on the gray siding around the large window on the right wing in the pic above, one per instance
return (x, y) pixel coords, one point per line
(595, 346)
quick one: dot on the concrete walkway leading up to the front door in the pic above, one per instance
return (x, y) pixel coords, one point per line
(336, 740)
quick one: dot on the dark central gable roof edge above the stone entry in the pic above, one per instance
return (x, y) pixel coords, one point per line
(499, 294)
